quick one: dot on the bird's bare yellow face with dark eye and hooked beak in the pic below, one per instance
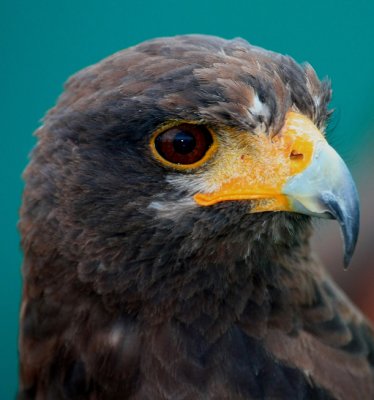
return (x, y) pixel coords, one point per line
(293, 170)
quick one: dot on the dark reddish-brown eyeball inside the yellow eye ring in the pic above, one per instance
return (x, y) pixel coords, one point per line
(185, 144)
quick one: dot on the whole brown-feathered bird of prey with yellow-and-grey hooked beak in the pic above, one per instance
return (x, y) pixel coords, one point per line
(165, 224)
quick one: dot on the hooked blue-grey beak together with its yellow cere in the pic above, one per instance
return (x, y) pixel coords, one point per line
(306, 176)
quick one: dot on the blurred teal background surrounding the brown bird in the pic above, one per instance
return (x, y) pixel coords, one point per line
(43, 42)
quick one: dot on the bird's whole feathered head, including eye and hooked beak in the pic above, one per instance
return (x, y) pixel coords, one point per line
(184, 149)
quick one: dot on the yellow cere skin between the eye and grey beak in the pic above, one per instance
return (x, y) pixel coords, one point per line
(256, 167)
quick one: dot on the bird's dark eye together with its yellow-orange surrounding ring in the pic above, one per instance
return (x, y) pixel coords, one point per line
(183, 146)
